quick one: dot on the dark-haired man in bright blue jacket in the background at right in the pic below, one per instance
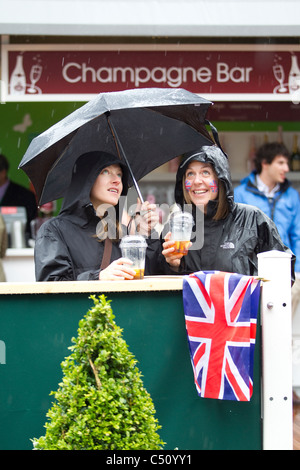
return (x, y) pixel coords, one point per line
(268, 189)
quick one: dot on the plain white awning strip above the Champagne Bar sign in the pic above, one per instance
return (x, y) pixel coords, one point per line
(214, 18)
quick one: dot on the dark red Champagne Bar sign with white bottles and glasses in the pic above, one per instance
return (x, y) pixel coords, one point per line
(216, 72)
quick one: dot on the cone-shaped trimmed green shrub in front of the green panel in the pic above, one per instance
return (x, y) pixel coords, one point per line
(101, 403)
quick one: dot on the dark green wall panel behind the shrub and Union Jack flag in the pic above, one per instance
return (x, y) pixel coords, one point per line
(37, 331)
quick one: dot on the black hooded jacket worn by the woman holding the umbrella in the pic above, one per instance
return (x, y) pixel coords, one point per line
(66, 246)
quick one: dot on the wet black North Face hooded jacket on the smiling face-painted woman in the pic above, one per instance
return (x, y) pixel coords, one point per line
(230, 244)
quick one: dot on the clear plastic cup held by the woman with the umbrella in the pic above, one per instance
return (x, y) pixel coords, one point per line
(134, 248)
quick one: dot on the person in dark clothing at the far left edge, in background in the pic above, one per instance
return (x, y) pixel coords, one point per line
(13, 194)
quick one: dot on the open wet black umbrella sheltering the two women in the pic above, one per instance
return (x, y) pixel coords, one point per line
(143, 127)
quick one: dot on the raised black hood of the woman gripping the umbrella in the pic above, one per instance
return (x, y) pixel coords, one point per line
(85, 171)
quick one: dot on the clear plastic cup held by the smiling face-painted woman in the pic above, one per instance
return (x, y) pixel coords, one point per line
(181, 225)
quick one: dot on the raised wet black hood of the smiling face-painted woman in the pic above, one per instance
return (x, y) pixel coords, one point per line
(206, 154)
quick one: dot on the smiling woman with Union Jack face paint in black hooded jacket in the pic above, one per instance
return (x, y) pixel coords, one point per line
(227, 236)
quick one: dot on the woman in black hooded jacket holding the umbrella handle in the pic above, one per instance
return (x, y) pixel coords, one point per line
(72, 245)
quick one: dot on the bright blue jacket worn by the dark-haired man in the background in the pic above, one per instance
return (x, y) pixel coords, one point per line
(283, 209)
